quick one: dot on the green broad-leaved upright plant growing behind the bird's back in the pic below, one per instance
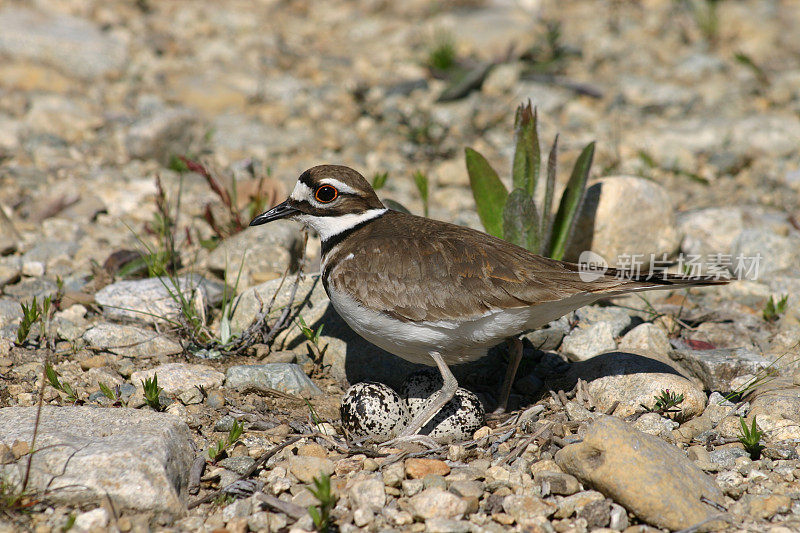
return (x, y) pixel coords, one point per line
(515, 216)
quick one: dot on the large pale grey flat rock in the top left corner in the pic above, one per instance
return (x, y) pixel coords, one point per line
(74, 46)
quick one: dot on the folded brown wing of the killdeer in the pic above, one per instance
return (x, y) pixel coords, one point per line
(421, 269)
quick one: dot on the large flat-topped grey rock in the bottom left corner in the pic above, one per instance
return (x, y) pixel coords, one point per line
(138, 459)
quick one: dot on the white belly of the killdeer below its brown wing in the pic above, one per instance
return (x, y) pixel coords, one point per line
(457, 341)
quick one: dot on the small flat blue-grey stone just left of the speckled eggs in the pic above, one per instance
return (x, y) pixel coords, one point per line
(285, 377)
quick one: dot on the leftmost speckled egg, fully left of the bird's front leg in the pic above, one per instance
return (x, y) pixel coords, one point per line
(373, 412)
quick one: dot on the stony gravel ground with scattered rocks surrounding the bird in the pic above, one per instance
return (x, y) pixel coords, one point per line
(695, 107)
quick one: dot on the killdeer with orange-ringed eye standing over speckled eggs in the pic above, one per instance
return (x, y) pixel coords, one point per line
(432, 292)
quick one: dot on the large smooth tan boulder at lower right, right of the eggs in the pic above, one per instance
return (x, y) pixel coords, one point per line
(651, 478)
